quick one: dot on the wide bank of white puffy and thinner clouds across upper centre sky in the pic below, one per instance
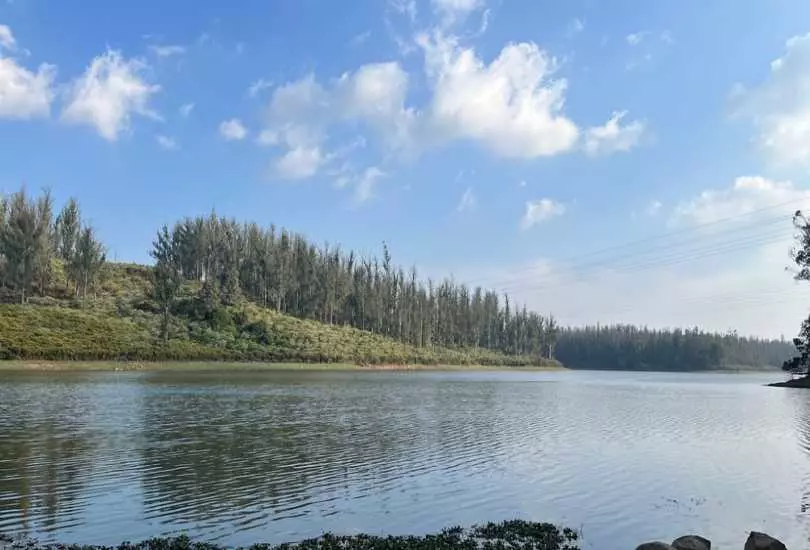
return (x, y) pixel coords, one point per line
(512, 106)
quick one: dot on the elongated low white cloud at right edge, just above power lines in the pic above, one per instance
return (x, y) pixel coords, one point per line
(748, 194)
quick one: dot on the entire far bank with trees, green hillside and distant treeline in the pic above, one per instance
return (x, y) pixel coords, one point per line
(230, 291)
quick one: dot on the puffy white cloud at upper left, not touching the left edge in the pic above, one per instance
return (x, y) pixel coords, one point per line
(108, 94)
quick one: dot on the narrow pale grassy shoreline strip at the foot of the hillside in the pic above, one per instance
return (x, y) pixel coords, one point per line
(154, 366)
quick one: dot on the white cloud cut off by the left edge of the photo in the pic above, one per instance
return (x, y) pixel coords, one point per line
(25, 94)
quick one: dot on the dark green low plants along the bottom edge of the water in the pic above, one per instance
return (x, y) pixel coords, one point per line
(513, 535)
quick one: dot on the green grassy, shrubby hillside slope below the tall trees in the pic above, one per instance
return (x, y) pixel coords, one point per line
(122, 323)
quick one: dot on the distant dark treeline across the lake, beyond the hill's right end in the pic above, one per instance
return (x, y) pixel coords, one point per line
(623, 347)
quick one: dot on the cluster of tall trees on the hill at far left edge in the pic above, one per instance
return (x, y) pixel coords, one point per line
(32, 239)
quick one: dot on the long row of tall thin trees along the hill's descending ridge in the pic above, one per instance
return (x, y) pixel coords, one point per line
(283, 270)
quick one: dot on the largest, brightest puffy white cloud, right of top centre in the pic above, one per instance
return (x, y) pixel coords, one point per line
(512, 106)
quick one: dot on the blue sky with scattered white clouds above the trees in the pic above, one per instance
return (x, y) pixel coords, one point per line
(626, 161)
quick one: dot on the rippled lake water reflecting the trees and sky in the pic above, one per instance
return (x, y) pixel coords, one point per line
(243, 457)
